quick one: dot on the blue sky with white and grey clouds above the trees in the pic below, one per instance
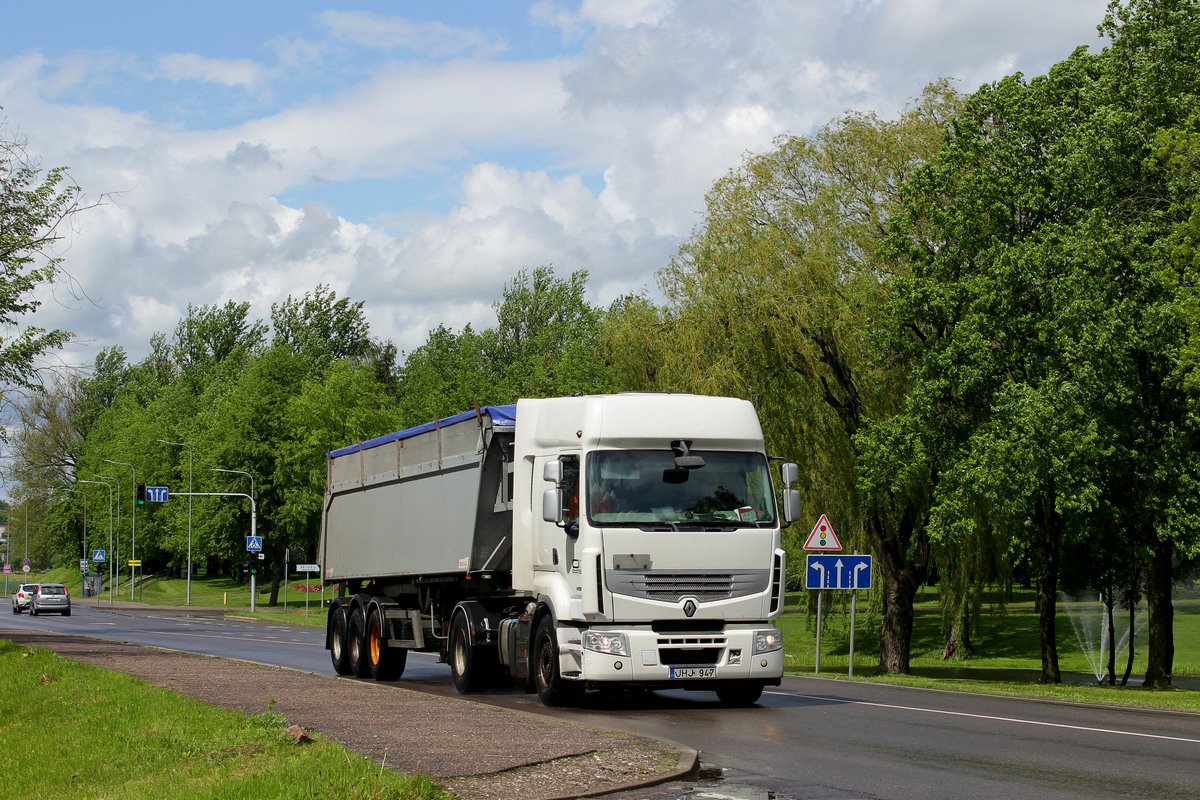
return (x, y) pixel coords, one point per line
(417, 155)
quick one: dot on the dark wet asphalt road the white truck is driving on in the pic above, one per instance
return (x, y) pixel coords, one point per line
(809, 739)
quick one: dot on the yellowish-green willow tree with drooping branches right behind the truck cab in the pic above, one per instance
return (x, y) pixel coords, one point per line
(775, 298)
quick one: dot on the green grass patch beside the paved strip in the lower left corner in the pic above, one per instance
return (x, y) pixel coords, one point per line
(80, 731)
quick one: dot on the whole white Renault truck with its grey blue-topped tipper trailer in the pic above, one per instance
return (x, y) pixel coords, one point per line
(598, 542)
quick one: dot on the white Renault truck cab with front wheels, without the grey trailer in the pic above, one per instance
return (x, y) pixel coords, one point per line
(653, 543)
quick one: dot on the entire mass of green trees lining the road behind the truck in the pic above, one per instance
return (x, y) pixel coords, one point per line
(976, 327)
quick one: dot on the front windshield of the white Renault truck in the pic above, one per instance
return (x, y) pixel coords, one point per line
(644, 489)
